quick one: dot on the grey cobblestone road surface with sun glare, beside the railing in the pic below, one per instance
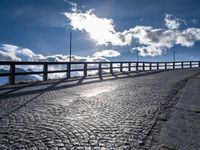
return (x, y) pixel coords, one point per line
(64, 114)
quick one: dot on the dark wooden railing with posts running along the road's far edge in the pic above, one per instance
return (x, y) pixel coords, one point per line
(89, 66)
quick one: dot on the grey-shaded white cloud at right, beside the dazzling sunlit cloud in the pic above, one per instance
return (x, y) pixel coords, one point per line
(155, 41)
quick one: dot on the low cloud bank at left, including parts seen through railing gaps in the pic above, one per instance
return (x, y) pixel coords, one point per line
(10, 52)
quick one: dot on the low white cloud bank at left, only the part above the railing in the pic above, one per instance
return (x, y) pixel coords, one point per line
(10, 52)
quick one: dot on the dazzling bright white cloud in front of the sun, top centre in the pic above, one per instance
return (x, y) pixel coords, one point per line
(102, 30)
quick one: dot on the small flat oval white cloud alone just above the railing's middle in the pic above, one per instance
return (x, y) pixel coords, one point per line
(107, 53)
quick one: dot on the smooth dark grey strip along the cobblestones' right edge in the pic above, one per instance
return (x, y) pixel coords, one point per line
(182, 130)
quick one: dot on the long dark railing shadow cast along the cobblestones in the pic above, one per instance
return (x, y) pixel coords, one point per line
(53, 85)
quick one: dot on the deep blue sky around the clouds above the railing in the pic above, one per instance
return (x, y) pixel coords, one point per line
(41, 26)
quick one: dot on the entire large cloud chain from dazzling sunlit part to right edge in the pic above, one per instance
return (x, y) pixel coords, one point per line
(153, 41)
